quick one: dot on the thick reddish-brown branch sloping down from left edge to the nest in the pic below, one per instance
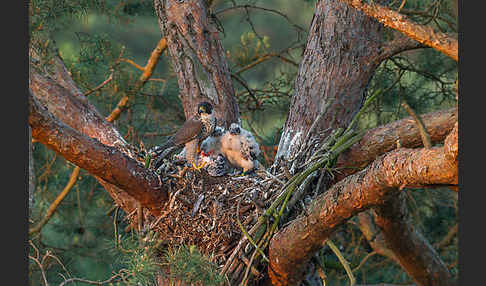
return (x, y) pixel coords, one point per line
(98, 159)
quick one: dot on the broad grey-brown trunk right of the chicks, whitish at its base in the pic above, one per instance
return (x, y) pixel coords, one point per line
(340, 58)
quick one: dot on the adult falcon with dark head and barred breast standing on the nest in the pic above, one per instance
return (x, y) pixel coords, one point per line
(191, 134)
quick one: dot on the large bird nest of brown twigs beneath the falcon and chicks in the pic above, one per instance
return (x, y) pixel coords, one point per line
(213, 213)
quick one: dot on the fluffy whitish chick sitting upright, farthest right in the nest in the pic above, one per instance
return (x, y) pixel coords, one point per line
(240, 148)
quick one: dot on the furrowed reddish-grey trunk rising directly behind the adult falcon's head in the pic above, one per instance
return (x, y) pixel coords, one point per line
(197, 57)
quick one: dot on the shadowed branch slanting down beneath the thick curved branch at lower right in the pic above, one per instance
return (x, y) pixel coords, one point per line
(416, 256)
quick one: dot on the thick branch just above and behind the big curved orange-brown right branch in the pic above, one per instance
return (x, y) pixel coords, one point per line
(383, 139)
